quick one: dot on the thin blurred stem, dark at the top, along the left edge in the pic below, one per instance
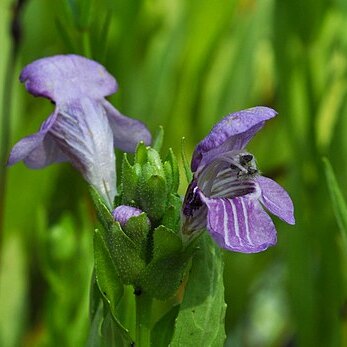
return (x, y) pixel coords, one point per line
(5, 128)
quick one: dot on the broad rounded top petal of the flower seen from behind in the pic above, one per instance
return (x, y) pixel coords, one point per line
(66, 77)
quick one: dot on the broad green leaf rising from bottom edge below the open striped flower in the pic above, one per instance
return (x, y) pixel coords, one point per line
(200, 321)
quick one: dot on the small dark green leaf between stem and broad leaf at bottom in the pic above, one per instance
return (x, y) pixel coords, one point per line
(162, 331)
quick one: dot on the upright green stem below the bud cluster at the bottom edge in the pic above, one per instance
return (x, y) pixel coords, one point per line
(143, 318)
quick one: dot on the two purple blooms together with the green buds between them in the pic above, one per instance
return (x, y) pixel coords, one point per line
(227, 193)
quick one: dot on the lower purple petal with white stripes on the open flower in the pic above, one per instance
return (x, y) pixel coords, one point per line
(240, 224)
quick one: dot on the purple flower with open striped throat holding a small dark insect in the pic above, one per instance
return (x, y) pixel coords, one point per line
(227, 193)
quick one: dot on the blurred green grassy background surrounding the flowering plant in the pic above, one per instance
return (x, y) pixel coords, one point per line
(184, 64)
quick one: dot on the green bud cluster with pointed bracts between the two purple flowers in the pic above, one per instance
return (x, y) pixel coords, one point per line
(147, 251)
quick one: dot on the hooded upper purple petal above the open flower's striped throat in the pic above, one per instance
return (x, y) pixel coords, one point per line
(232, 133)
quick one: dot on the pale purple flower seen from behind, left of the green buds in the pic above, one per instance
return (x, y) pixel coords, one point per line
(84, 127)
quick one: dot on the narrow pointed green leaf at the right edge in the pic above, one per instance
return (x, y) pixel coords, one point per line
(339, 204)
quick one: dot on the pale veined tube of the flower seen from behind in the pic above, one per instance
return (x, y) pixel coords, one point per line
(82, 132)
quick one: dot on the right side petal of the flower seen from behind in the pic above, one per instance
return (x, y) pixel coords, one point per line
(127, 132)
